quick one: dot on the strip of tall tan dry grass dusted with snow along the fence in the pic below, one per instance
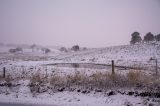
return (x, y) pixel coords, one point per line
(103, 81)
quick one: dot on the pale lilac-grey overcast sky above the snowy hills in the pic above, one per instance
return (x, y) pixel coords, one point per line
(91, 23)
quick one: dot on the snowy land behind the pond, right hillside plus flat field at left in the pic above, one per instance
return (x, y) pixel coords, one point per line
(136, 56)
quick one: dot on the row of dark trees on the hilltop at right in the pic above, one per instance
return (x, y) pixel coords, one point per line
(136, 38)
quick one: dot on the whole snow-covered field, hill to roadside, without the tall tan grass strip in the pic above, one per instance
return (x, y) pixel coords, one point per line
(21, 66)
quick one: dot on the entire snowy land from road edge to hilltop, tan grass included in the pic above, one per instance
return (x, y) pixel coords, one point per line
(28, 76)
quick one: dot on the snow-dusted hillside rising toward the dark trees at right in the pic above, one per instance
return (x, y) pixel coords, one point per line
(137, 56)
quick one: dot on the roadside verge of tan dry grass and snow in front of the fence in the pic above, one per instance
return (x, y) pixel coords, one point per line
(99, 88)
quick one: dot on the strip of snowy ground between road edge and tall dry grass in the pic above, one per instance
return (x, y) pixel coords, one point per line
(76, 99)
